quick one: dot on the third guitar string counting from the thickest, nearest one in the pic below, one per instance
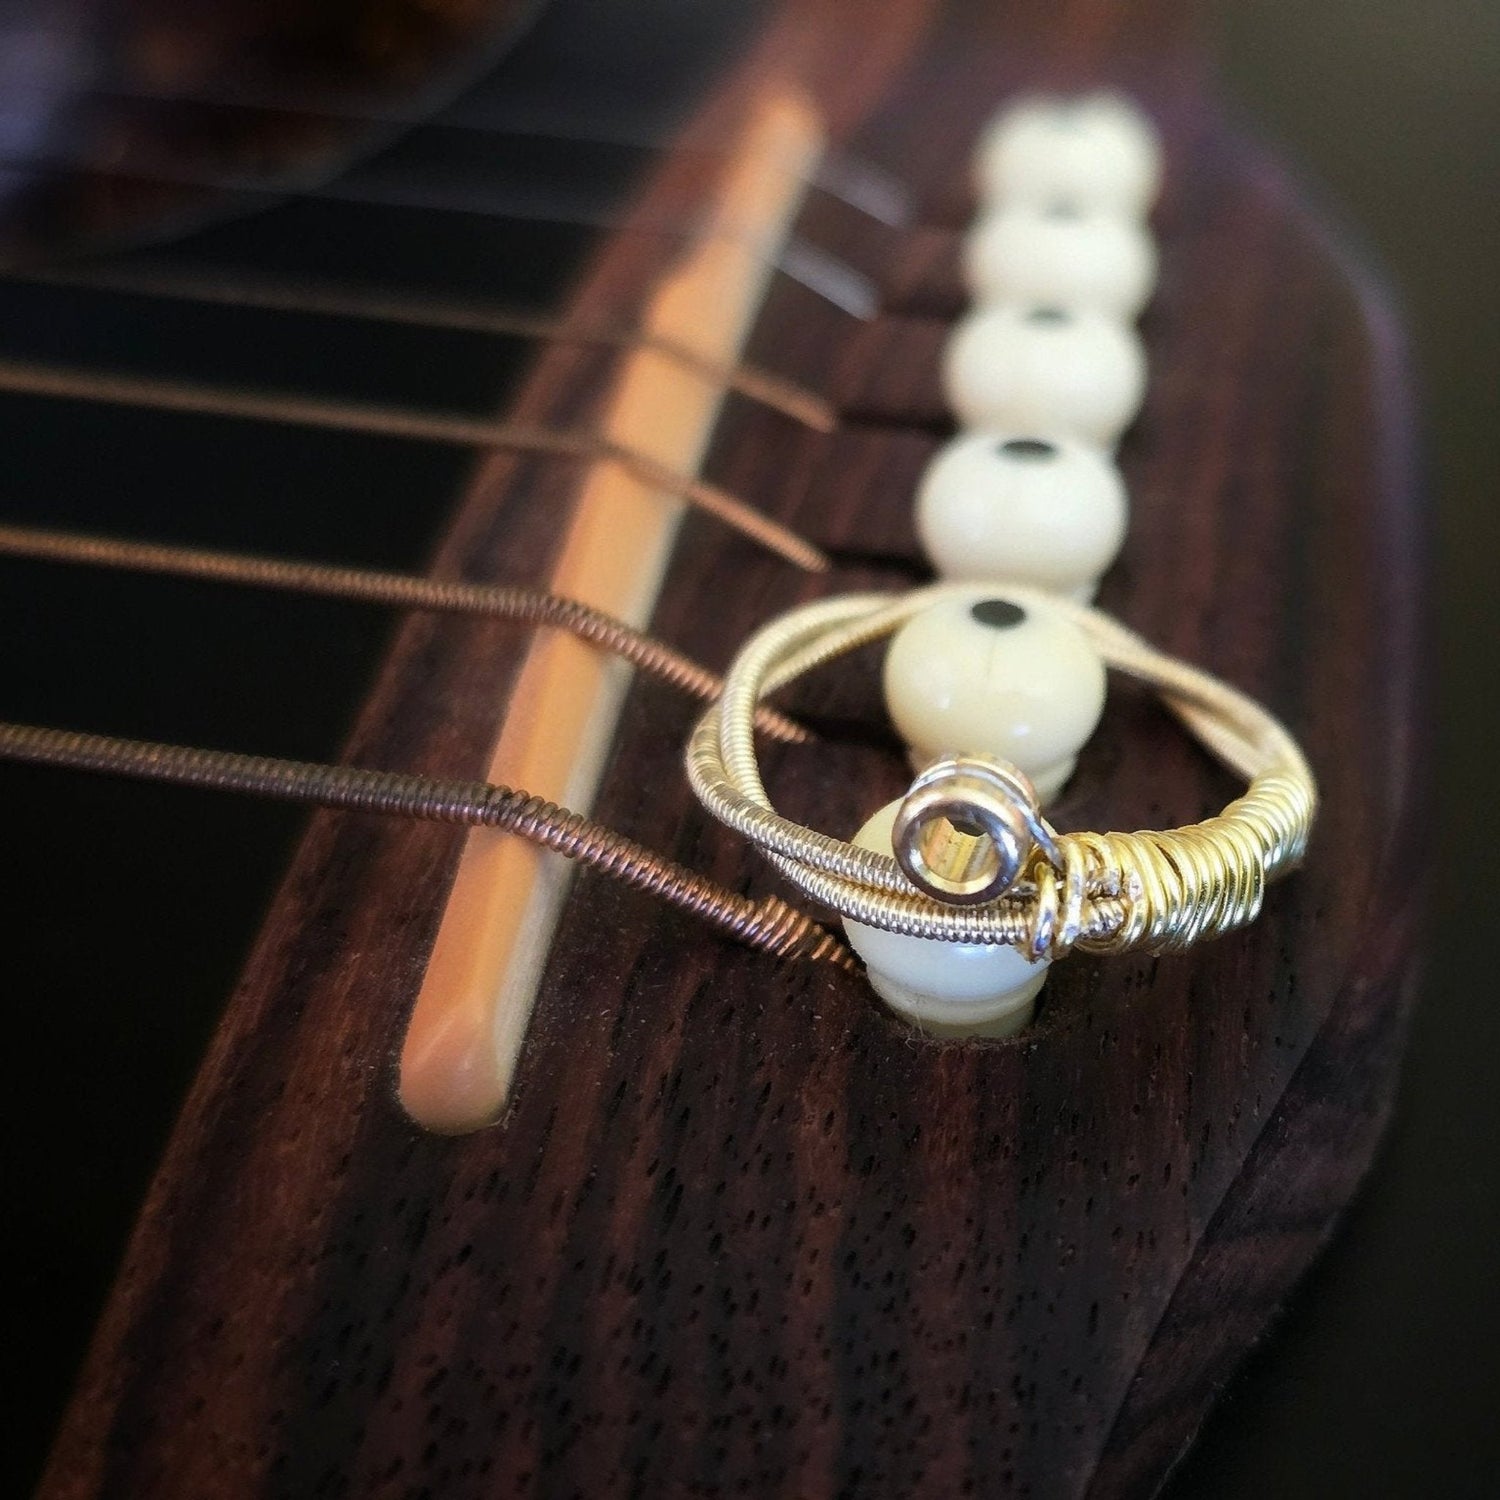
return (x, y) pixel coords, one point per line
(29, 379)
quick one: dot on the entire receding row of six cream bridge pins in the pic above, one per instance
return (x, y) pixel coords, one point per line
(1043, 376)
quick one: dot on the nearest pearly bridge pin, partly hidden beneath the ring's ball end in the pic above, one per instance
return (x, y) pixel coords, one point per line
(949, 989)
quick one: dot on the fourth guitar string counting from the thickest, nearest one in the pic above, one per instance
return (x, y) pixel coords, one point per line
(322, 299)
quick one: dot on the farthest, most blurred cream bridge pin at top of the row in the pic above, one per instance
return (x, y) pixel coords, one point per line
(1097, 152)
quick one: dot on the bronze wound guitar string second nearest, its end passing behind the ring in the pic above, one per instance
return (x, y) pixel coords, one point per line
(514, 604)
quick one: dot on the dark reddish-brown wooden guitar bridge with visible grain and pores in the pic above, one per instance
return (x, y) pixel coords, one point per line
(740, 1231)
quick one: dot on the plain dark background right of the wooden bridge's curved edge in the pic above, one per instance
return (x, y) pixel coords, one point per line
(1384, 1376)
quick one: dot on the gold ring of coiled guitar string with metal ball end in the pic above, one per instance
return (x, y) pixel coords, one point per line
(977, 862)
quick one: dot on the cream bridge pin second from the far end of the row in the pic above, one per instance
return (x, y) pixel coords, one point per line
(1061, 254)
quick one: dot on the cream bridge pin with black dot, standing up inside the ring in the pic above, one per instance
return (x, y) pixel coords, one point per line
(983, 676)
